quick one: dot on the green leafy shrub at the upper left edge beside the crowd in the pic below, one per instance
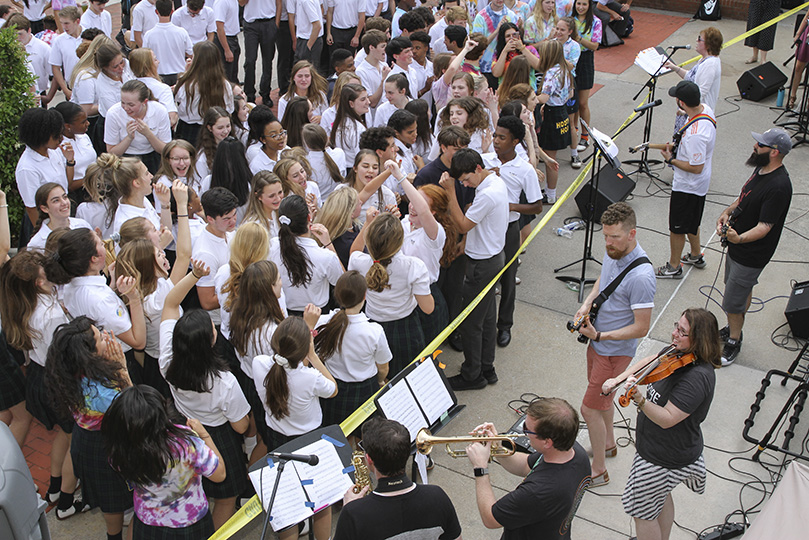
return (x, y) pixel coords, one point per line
(15, 98)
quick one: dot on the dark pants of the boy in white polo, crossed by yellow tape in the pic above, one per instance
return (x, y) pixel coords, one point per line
(479, 330)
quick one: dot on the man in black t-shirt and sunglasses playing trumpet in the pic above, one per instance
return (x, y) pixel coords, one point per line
(556, 475)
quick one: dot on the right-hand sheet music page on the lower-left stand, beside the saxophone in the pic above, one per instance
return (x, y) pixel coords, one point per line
(328, 481)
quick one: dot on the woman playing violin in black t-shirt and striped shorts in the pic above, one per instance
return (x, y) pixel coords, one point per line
(669, 439)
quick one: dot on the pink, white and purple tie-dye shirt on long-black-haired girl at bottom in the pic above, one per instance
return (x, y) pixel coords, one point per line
(178, 500)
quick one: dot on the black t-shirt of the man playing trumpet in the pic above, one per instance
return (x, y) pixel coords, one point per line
(543, 505)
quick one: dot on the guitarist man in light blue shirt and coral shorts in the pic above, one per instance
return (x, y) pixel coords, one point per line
(622, 318)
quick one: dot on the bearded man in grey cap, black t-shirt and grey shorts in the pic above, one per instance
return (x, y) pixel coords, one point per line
(752, 226)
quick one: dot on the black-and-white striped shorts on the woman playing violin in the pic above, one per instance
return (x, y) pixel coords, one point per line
(649, 485)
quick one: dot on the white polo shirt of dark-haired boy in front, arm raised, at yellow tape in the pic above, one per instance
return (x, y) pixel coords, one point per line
(489, 211)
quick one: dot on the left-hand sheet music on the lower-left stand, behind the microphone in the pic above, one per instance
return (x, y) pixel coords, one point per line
(290, 505)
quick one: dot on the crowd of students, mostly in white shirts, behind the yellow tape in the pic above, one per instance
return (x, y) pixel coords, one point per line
(262, 273)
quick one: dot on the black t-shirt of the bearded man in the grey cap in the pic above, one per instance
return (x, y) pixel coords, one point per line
(764, 199)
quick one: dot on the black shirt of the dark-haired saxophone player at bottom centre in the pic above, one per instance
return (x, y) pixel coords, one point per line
(425, 513)
